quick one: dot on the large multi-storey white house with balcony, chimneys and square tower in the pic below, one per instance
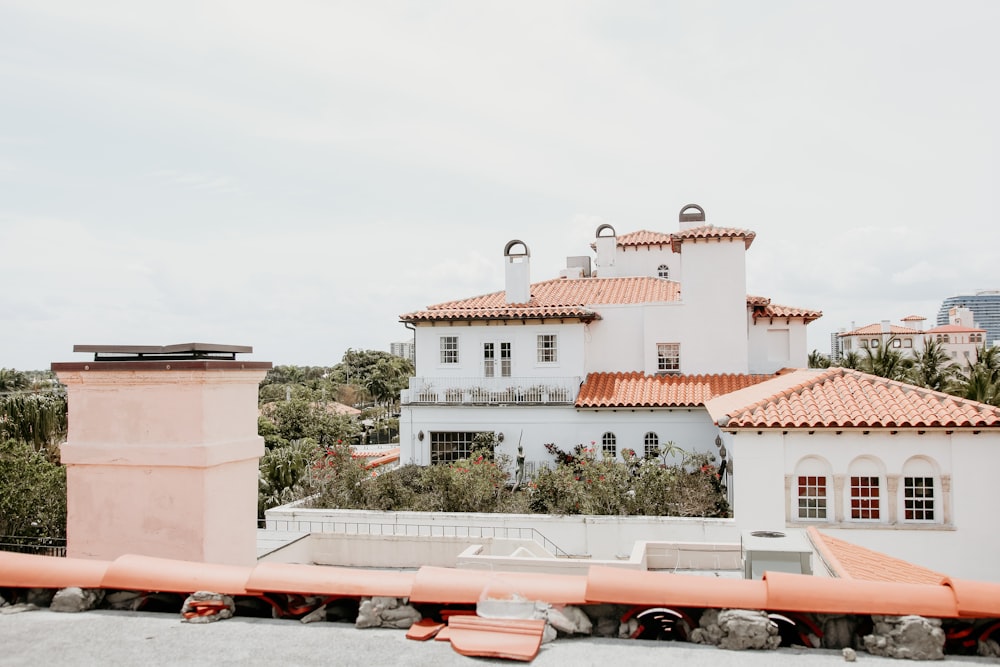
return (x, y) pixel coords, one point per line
(624, 356)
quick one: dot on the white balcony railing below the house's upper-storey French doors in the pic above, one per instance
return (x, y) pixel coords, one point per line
(492, 391)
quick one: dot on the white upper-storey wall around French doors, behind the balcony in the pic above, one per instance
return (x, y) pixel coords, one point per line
(523, 339)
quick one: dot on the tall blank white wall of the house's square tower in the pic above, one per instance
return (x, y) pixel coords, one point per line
(715, 299)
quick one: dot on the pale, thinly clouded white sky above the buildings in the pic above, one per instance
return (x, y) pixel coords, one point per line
(294, 175)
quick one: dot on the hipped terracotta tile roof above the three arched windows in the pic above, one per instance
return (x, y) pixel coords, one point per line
(844, 398)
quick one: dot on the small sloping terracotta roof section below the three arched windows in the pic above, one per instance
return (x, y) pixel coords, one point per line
(850, 561)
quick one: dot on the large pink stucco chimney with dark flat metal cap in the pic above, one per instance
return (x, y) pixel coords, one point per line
(162, 452)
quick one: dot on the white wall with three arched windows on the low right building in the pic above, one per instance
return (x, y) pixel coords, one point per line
(964, 547)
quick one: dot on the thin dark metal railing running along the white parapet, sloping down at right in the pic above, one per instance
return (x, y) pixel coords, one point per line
(415, 530)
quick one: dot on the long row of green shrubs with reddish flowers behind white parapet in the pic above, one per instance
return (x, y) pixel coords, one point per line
(581, 482)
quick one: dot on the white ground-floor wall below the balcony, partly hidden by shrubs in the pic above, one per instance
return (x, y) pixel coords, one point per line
(565, 426)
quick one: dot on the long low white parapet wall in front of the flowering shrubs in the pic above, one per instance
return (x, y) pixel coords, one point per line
(598, 537)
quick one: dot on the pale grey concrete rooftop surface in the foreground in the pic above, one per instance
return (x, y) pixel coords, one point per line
(144, 638)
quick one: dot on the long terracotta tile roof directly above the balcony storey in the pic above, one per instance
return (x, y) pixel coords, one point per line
(560, 297)
